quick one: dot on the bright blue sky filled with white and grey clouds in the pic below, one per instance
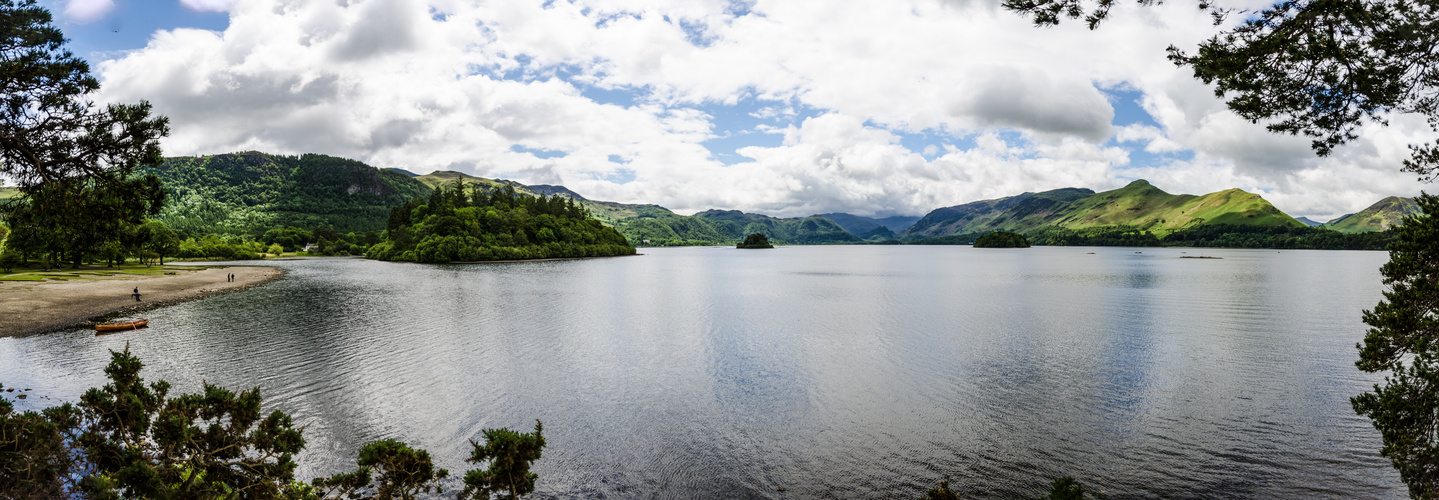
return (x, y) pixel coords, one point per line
(779, 107)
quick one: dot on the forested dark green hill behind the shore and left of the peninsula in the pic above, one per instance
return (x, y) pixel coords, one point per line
(250, 192)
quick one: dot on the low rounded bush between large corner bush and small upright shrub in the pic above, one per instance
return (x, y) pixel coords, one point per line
(386, 470)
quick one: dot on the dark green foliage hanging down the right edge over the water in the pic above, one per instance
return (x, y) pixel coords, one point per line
(1404, 344)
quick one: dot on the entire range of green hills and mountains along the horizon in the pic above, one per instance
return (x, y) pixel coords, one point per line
(250, 192)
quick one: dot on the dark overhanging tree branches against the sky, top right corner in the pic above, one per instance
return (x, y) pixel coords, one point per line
(1315, 68)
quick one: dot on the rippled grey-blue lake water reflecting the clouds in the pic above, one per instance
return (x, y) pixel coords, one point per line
(848, 372)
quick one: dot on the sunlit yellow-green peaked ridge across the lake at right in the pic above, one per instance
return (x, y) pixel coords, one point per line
(1138, 207)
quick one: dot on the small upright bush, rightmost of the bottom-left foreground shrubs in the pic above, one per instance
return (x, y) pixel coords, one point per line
(510, 456)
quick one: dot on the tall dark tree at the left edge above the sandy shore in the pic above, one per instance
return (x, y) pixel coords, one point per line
(74, 162)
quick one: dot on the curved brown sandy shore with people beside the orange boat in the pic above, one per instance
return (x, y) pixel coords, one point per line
(29, 308)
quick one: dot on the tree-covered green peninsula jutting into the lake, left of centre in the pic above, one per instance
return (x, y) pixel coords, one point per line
(460, 224)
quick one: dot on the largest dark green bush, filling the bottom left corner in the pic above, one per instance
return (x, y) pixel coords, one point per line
(132, 440)
